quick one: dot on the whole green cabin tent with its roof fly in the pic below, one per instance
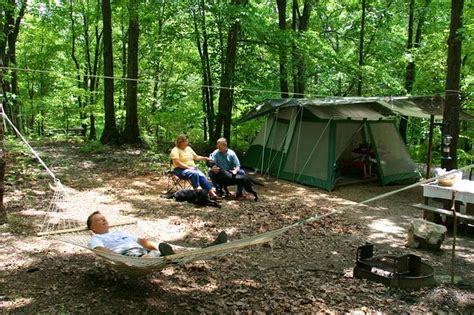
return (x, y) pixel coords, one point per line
(309, 141)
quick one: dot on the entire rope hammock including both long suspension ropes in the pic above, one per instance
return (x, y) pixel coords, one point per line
(65, 218)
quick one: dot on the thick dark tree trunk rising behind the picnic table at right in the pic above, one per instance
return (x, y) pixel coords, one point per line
(453, 78)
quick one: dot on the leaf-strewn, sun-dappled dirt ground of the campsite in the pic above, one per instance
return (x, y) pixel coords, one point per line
(308, 269)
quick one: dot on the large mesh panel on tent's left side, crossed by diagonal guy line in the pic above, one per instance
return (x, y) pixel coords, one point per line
(306, 156)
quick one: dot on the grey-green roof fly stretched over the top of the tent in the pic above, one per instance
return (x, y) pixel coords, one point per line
(371, 108)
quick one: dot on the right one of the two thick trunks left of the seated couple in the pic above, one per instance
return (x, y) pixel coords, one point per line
(131, 133)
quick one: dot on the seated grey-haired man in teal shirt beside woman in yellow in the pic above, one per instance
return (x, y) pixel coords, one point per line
(227, 160)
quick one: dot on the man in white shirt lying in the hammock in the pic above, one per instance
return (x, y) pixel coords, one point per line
(123, 243)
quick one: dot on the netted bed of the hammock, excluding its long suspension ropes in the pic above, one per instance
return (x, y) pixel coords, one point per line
(62, 222)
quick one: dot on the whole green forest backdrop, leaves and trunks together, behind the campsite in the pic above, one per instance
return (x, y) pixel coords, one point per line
(195, 66)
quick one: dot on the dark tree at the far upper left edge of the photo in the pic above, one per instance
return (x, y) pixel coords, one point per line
(10, 21)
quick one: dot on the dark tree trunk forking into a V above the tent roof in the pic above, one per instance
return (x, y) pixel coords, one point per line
(300, 23)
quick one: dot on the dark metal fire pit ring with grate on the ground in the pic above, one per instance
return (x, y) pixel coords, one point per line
(404, 272)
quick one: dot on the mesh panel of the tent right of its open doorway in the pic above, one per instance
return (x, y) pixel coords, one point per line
(394, 158)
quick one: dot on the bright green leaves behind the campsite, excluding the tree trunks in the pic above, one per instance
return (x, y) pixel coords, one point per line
(170, 99)
